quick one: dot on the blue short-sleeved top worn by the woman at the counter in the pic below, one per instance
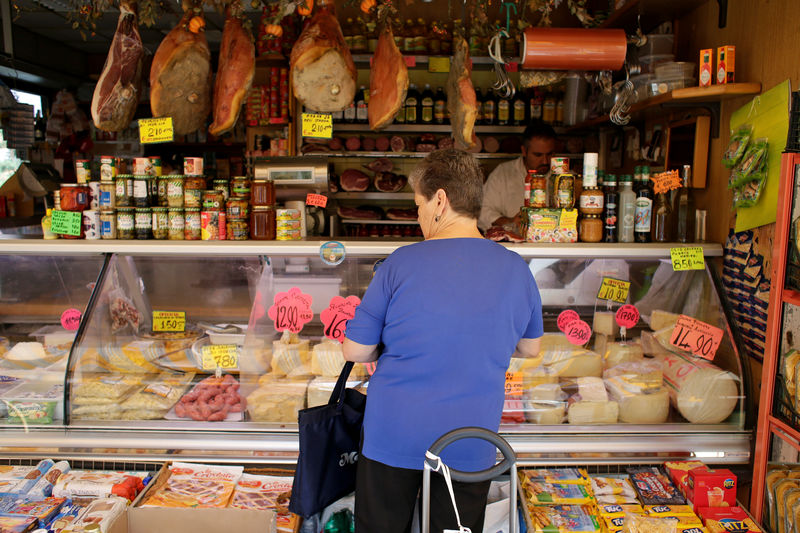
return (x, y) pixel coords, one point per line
(450, 313)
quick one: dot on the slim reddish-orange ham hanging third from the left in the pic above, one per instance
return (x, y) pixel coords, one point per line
(237, 66)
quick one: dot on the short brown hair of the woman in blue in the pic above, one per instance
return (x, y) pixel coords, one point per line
(457, 173)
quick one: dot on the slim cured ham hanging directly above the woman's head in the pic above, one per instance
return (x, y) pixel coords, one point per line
(461, 100)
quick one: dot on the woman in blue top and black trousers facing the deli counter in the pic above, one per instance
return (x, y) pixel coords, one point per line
(450, 311)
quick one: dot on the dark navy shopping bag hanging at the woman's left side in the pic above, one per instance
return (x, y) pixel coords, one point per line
(329, 442)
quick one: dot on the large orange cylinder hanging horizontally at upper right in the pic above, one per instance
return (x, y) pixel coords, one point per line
(573, 49)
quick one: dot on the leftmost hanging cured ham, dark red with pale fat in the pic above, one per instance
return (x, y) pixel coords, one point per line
(116, 94)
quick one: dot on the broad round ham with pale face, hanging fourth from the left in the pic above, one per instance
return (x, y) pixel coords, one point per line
(322, 69)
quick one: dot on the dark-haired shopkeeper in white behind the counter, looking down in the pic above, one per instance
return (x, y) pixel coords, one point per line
(504, 190)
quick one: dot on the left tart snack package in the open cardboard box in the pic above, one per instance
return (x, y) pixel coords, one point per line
(195, 485)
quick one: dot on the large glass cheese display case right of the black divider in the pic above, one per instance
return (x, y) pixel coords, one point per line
(184, 350)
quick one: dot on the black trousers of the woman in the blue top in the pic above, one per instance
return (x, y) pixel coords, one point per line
(386, 495)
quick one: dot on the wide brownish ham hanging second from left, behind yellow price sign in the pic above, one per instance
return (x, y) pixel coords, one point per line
(180, 77)
